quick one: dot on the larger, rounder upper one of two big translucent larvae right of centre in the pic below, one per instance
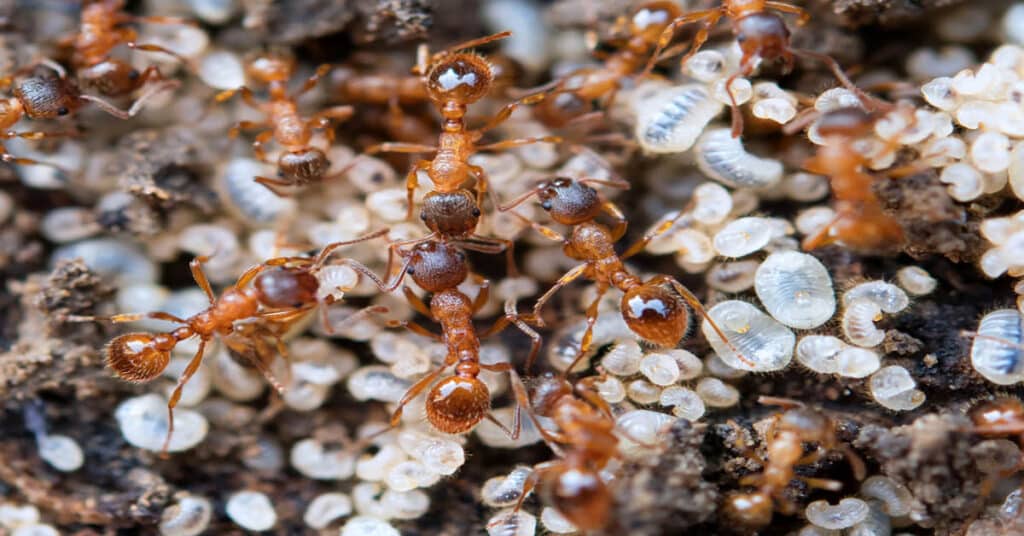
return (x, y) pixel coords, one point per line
(796, 290)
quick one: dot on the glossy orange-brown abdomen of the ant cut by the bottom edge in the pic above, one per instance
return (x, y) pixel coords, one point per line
(581, 497)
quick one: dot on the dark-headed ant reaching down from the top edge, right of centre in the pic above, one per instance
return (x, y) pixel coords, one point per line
(762, 36)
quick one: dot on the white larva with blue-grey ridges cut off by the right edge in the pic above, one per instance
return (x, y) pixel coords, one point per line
(996, 354)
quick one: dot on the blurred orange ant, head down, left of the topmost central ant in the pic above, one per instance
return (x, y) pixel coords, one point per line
(300, 163)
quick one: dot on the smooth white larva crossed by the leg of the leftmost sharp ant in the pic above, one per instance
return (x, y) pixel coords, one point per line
(144, 425)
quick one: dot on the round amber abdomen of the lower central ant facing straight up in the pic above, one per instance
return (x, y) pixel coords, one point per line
(457, 404)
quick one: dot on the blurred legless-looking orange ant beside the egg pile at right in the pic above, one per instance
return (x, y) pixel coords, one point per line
(861, 222)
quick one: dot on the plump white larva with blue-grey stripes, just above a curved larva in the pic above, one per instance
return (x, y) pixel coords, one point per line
(671, 119)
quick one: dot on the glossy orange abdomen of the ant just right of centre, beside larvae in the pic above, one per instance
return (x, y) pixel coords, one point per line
(657, 314)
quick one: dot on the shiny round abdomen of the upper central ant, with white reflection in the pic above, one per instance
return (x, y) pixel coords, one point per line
(463, 78)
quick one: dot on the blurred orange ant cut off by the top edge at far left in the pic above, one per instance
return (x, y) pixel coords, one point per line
(103, 30)
